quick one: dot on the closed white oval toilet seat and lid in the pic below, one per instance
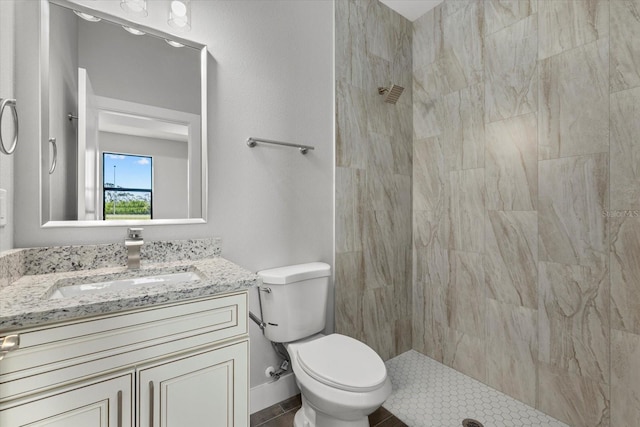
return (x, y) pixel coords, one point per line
(343, 363)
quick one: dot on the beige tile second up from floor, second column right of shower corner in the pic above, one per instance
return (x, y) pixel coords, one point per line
(466, 293)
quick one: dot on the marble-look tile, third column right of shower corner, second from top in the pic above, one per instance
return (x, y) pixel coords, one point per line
(511, 77)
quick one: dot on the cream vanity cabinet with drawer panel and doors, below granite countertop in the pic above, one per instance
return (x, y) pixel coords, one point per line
(183, 364)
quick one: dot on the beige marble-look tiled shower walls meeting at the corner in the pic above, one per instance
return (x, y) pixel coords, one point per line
(491, 218)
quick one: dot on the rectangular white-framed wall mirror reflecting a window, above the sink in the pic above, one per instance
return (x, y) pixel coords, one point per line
(123, 122)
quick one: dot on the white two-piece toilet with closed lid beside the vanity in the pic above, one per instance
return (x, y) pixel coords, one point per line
(342, 380)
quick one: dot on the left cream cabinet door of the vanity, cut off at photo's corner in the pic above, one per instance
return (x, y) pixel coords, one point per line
(105, 403)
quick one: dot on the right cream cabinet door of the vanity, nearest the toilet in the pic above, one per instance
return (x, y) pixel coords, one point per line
(205, 389)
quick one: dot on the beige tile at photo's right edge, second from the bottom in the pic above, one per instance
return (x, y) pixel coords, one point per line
(625, 274)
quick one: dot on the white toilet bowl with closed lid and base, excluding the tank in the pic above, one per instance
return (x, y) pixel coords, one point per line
(342, 381)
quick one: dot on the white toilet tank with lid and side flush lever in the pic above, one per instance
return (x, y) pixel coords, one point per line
(294, 300)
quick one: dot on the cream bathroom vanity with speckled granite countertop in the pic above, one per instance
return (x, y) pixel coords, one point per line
(150, 355)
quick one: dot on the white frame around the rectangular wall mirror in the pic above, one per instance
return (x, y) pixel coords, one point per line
(44, 122)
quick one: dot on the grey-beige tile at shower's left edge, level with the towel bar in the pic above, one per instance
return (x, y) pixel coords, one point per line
(351, 126)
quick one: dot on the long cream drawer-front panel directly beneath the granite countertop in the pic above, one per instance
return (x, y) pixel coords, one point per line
(56, 354)
